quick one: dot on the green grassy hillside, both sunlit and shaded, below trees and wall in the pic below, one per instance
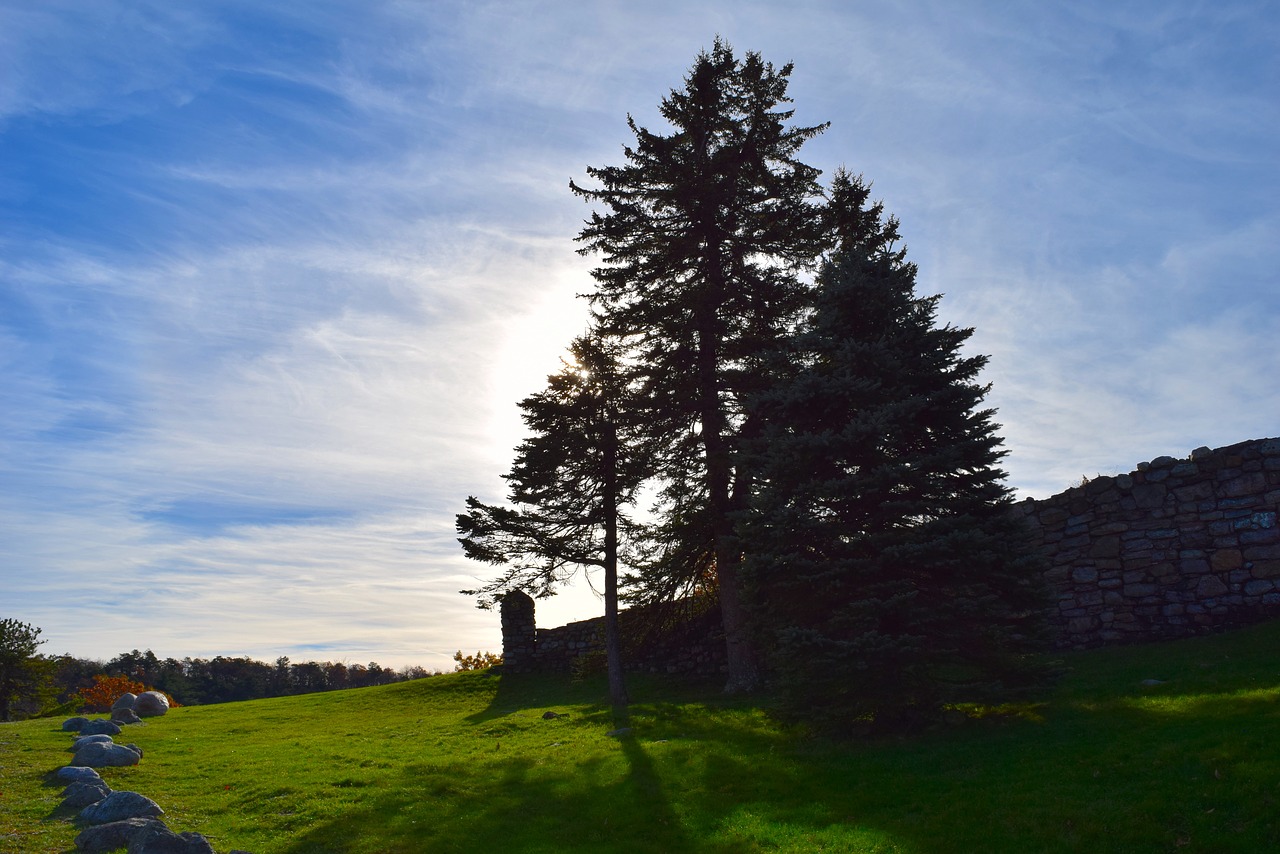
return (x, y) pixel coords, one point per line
(468, 764)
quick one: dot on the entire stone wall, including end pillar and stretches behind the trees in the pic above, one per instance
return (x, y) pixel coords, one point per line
(1176, 549)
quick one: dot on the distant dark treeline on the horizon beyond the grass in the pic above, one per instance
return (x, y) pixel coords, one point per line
(199, 682)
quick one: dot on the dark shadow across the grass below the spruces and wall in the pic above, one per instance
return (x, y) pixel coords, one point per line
(1100, 774)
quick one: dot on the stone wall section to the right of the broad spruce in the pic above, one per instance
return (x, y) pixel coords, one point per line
(1176, 549)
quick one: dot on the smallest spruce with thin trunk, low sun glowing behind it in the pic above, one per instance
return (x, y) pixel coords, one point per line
(568, 487)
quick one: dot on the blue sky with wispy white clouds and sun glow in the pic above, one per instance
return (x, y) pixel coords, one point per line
(275, 276)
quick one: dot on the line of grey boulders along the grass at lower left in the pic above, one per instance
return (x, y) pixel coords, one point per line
(117, 819)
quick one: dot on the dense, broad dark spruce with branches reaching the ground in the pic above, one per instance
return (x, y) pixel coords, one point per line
(886, 567)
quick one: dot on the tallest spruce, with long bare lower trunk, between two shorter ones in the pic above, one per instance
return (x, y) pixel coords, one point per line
(705, 234)
